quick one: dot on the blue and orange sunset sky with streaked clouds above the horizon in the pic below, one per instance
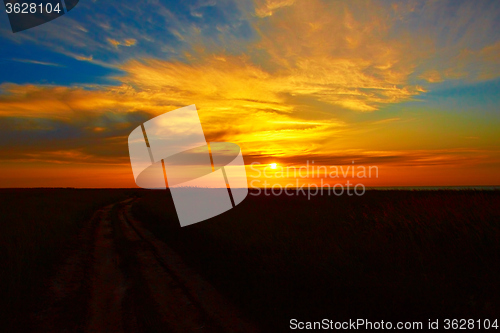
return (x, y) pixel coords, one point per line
(411, 87)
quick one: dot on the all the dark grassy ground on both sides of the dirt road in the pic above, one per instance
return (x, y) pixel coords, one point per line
(387, 255)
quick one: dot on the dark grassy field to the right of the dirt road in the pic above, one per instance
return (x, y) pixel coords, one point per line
(387, 255)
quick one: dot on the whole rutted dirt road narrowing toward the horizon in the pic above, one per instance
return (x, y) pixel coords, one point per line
(123, 279)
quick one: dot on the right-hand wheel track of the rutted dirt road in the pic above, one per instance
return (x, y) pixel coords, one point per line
(186, 301)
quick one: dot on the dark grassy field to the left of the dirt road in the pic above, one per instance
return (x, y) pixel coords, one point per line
(38, 230)
